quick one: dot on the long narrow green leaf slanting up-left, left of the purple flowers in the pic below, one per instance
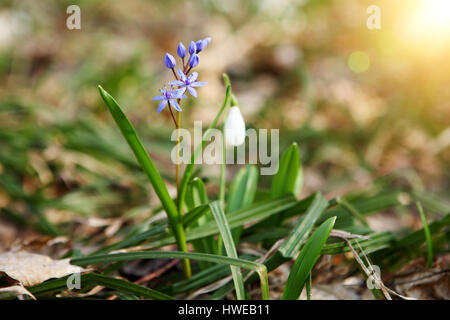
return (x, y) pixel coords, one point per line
(149, 168)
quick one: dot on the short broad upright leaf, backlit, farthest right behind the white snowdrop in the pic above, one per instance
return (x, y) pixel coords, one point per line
(289, 178)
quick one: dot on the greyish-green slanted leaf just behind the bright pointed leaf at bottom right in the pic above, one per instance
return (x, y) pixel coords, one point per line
(304, 226)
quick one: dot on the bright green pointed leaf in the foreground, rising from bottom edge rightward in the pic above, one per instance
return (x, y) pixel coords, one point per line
(306, 260)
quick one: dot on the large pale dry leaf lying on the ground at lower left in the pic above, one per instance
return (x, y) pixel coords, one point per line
(31, 269)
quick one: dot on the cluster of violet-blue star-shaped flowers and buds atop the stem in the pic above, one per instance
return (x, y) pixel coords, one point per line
(184, 79)
